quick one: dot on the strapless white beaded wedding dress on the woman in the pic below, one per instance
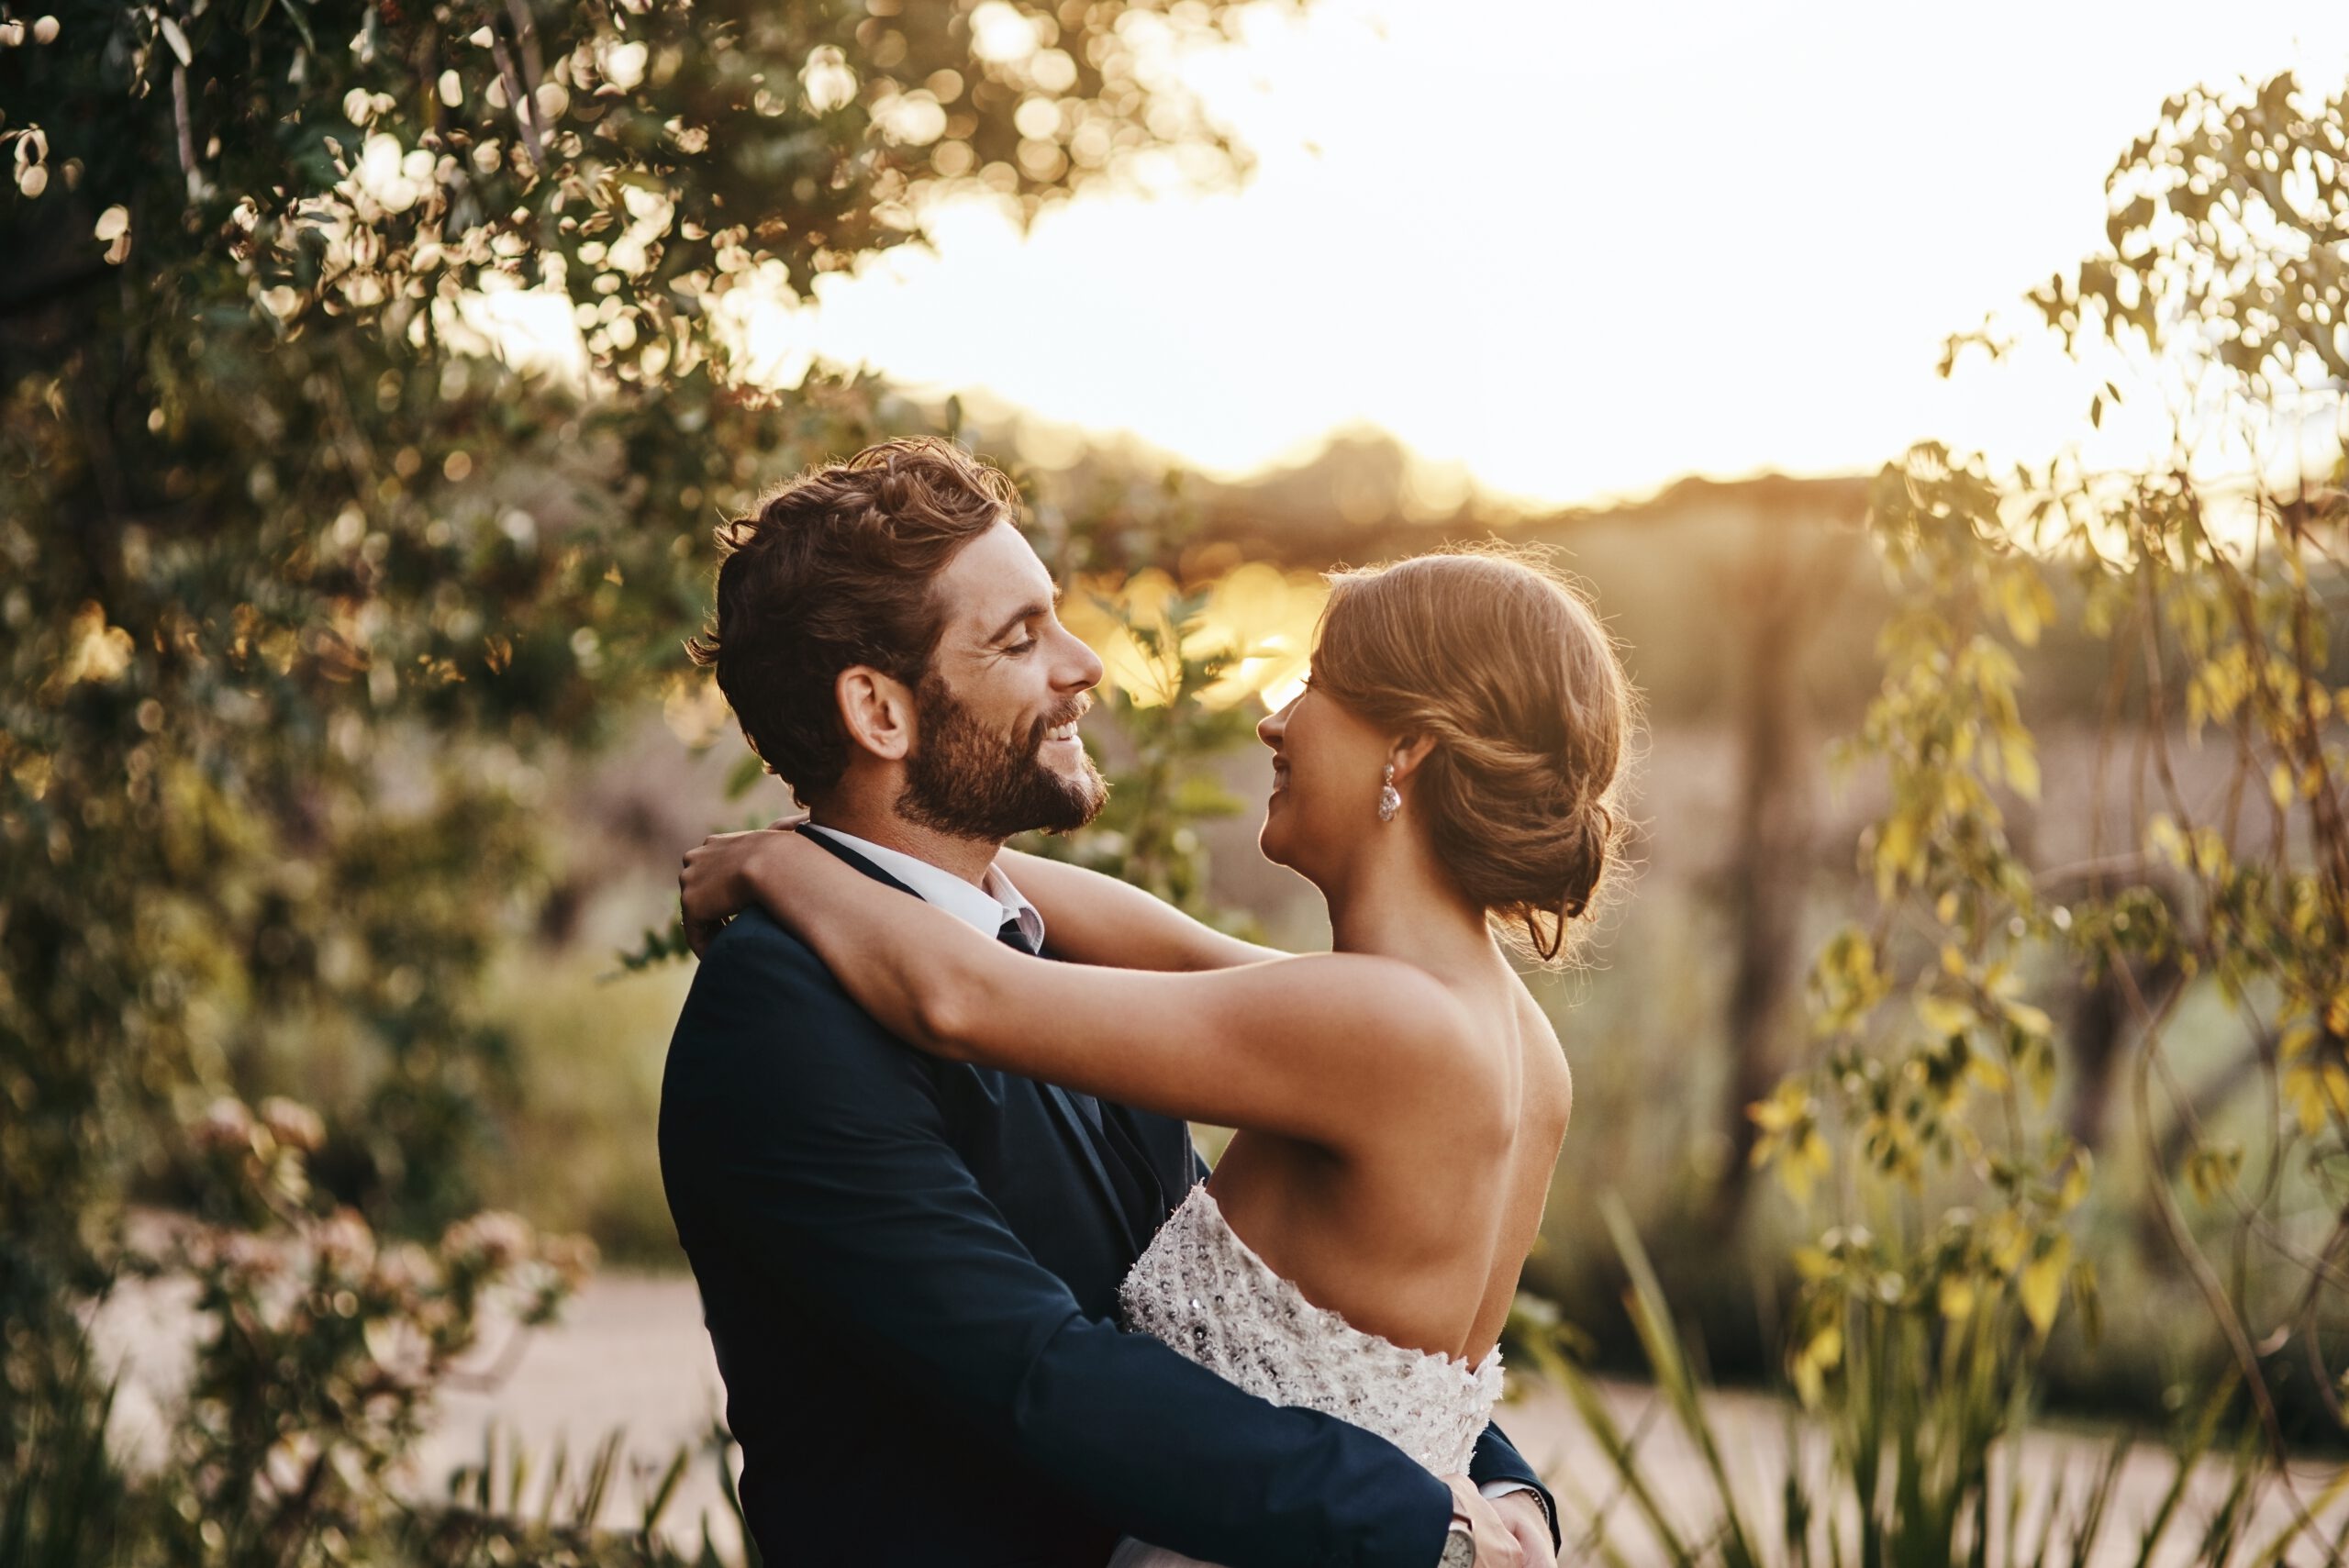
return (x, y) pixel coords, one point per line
(1211, 1297)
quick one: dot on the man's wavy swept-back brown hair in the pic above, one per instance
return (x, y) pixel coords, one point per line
(835, 572)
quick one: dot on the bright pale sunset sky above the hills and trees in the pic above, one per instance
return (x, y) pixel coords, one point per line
(1577, 252)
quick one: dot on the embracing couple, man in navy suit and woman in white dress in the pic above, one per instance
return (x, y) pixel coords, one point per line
(974, 1295)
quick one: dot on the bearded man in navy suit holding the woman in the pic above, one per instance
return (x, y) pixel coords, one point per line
(910, 1266)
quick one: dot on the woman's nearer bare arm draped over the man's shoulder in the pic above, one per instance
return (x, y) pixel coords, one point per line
(1317, 1048)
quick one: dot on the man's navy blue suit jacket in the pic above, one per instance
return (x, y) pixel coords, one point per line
(910, 1276)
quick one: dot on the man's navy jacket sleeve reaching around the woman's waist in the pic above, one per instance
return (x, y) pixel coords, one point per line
(809, 1142)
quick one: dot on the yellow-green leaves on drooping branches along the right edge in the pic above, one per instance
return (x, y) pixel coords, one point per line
(2223, 597)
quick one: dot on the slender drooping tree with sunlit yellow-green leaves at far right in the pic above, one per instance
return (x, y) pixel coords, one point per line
(2219, 604)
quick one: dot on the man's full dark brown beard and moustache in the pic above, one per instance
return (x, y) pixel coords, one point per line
(969, 783)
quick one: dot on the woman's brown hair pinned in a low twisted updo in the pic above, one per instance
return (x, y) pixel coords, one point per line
(1505, 663)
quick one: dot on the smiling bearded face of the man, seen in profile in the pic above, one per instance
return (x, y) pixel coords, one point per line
(995, 748)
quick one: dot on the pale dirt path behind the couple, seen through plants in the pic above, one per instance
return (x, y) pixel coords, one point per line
(631, 1356)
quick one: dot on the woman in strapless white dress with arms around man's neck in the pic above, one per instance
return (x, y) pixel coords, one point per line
(1448, 776)
